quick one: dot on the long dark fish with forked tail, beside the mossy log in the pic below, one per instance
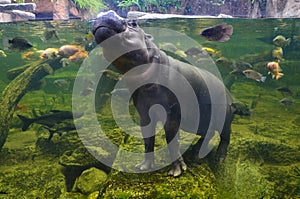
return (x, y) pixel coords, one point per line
(55, 117)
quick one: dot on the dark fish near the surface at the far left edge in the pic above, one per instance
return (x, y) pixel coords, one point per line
(17, 43)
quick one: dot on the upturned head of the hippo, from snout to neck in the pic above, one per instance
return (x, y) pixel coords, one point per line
(124, 43)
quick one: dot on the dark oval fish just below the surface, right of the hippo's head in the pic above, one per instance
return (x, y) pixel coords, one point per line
(221, 32)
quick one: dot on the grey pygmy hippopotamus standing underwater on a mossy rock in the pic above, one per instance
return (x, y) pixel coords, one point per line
(204, 111)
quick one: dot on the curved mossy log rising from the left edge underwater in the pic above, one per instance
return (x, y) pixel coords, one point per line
(18, 87)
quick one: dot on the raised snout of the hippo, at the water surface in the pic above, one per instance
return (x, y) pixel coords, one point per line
(108, 24)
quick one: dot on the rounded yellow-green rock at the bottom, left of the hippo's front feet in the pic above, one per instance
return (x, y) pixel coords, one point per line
(90, 180)
